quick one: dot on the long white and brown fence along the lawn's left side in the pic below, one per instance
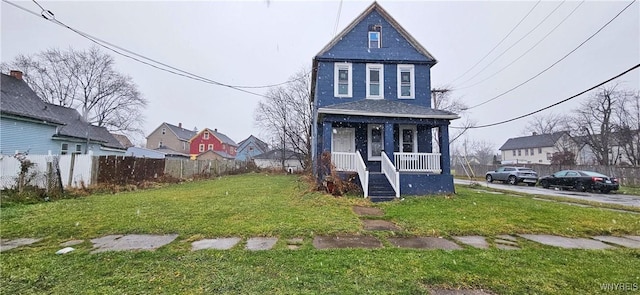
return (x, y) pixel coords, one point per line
(84, 170)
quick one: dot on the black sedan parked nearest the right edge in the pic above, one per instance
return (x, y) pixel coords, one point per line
(580, 181)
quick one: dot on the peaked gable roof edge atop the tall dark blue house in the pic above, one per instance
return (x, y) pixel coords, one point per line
(376, 7)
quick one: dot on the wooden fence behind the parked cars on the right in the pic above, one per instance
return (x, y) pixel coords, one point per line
(629, 176)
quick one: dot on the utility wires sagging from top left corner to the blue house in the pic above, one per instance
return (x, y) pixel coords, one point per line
(48, 15)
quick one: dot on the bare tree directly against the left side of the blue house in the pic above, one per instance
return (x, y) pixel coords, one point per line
(286, 115)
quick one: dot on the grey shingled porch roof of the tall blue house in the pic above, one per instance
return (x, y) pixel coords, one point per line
(386, 108)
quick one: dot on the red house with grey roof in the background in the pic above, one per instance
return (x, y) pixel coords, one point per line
(207, 139)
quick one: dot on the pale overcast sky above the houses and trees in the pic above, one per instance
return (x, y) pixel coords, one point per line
(265, 42)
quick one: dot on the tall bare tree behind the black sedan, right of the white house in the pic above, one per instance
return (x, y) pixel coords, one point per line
(595, 122)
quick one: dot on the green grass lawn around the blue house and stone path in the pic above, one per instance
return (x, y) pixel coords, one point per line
(282, 206)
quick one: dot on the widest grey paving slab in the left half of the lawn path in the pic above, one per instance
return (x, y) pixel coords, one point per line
(131, 242)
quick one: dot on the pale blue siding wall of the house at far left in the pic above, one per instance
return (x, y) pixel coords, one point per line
(23, 136)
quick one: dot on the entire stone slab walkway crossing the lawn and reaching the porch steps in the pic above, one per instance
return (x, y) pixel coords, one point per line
(368, 217)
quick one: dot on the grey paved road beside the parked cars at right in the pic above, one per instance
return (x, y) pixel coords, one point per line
(625, 200)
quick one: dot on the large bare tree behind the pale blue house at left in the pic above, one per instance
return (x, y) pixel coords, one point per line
(87, 81)
